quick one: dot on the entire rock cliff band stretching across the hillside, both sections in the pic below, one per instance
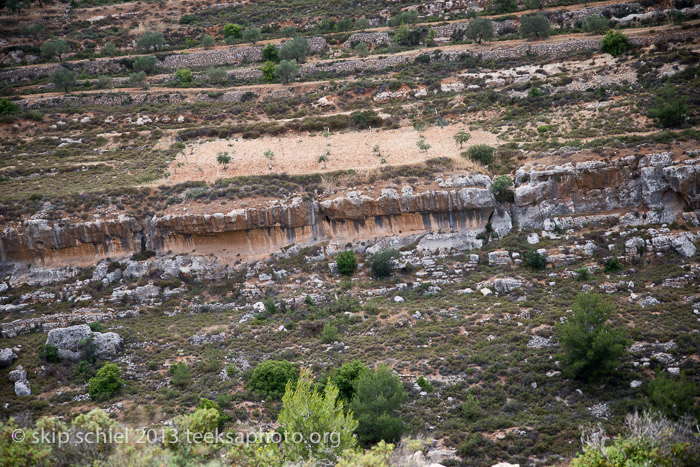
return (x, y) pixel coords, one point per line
(653, 187)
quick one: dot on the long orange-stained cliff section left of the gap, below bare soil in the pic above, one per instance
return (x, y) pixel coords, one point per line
(252, 231)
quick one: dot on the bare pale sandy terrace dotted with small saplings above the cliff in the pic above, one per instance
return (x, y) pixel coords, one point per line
(298, 154)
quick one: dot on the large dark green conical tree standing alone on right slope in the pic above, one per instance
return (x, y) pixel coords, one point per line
(592, 349)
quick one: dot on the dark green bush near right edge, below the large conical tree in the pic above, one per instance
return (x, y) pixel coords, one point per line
(673, 397)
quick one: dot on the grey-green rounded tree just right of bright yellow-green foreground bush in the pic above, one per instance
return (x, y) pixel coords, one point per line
(377, 400)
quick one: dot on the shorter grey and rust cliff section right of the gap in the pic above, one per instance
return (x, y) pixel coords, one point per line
(654, 182)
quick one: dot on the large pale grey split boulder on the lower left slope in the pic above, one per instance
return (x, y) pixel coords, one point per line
(70, 342)
